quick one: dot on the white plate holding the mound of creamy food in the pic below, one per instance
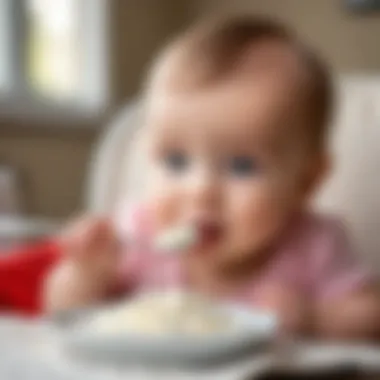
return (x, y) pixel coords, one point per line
(255, 332)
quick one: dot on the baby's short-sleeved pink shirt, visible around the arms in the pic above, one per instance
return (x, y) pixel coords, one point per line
(314, 256)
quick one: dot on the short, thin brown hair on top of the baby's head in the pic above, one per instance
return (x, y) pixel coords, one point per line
(215, 48)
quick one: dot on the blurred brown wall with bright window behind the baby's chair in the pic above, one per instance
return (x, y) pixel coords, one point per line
(67, 65)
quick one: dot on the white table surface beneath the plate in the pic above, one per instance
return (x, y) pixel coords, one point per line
(30, 351)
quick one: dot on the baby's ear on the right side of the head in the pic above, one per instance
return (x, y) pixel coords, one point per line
(319, 170)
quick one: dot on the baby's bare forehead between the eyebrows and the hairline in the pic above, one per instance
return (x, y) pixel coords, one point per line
(265, 100)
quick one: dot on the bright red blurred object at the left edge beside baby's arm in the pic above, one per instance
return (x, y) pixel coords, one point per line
(22, 273)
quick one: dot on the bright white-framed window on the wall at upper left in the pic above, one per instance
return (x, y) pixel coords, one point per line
(54, 56)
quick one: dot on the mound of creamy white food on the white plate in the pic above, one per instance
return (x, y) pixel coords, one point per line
(164, 313)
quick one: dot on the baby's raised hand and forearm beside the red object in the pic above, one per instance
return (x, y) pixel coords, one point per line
(88, 269)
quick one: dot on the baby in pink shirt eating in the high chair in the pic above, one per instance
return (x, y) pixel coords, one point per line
(237, 116)
